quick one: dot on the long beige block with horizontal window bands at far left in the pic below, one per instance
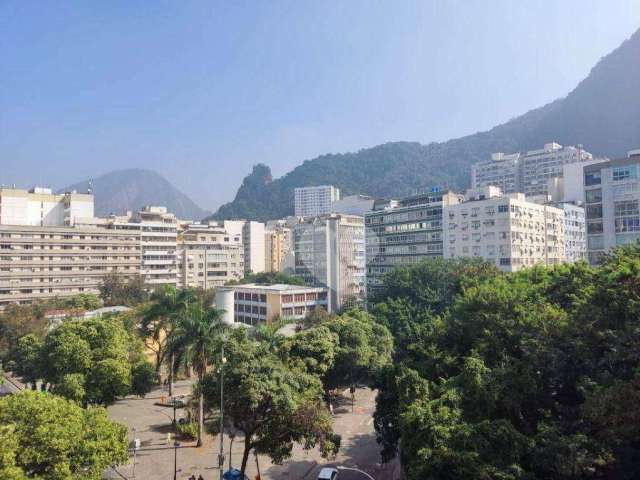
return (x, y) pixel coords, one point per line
(44, 262)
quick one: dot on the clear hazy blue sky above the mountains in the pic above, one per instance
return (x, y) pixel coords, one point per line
(202, 90)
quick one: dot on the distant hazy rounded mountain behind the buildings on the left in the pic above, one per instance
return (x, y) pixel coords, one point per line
(131, 189)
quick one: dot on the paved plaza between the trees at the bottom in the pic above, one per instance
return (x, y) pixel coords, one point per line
(155, 458)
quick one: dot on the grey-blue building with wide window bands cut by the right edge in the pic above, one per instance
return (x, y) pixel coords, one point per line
(612, 195)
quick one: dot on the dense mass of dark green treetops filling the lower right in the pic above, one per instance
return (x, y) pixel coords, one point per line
(533, 375)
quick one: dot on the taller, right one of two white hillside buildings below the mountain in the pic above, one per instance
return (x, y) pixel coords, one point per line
(540, 166)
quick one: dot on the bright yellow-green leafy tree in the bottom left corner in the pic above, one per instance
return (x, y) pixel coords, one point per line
(50, 438)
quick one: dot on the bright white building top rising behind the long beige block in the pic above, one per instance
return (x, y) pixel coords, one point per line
(41, 207)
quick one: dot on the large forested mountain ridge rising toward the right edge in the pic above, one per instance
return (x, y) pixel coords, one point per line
(602, 113)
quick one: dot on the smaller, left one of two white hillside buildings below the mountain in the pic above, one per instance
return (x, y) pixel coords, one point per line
(502, 171)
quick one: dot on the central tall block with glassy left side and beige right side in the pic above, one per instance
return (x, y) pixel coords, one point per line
(330, 252)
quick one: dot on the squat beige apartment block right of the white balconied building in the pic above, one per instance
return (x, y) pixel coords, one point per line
(208, 257)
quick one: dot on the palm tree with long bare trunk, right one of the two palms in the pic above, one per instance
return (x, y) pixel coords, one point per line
(195, 335)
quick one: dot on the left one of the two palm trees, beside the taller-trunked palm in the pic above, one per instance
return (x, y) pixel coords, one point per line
(167, 304)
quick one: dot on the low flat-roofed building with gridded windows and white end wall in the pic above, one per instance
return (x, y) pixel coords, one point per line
(253, 304)
